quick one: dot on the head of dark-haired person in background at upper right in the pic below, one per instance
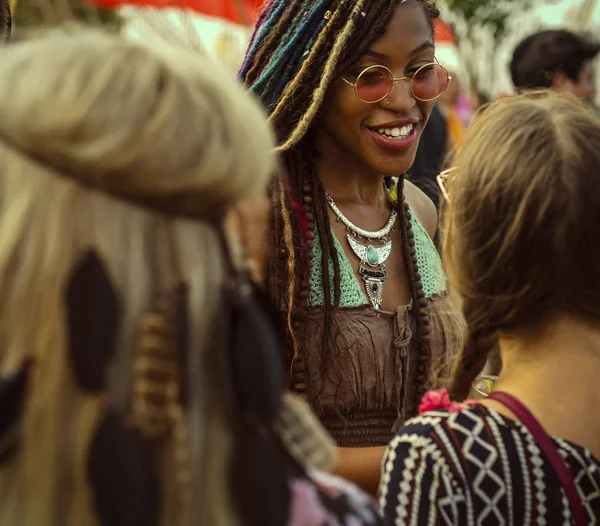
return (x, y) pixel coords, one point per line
(556, 59)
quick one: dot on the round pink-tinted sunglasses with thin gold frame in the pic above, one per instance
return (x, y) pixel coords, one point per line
(375, 83)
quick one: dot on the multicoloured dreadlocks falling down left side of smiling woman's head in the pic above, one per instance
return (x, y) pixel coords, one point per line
(299, 47)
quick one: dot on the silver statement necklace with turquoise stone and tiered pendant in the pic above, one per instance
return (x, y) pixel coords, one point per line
(372, 248)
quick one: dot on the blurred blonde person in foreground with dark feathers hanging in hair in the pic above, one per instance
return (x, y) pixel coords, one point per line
(140, 369)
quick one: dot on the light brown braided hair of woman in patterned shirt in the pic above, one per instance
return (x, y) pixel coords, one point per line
(520, 236)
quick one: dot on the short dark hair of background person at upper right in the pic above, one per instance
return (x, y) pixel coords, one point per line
(539, 57)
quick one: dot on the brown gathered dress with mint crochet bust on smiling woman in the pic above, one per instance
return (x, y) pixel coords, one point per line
(363, 395)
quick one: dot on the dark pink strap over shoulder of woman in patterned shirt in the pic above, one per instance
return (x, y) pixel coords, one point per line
(548, 447)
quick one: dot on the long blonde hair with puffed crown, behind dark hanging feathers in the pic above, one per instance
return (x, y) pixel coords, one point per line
(105, 145)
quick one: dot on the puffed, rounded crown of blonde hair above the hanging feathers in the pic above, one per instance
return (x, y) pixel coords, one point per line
(121, 120)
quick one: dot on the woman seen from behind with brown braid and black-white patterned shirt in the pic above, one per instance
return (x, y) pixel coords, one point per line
(520, 244)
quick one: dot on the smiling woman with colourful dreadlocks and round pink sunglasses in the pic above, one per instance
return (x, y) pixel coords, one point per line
(349, 86)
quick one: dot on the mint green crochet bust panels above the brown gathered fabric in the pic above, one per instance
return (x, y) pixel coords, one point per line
(352, 295)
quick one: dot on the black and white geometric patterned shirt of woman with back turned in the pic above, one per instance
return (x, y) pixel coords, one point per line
(476, 467)
